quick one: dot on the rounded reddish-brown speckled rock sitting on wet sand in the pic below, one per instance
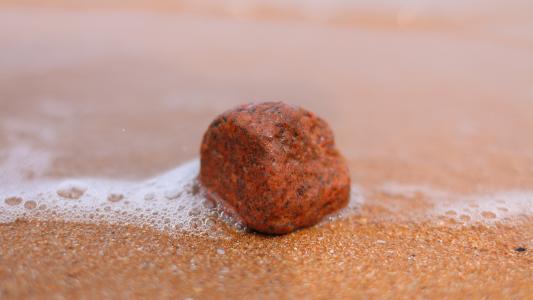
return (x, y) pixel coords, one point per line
(276, 165)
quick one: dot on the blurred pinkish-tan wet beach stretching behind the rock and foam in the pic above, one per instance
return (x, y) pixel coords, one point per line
(429, 92)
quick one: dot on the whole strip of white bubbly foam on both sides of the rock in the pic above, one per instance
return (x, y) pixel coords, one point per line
(175, 201)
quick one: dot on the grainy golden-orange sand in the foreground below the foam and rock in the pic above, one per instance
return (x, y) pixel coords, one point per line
(346, 259)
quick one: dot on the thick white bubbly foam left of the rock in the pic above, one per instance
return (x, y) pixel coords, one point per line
(119, 202)
